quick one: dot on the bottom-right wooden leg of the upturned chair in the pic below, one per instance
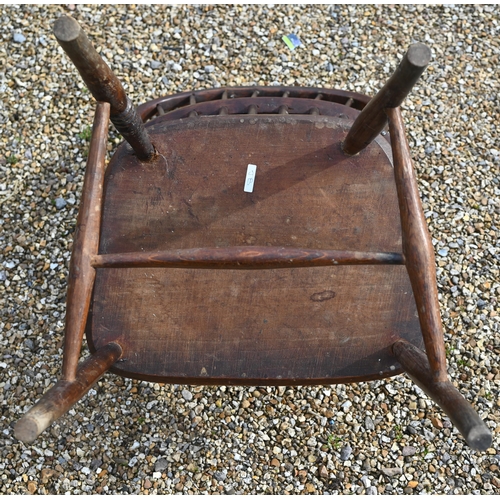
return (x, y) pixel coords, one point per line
(445, 395)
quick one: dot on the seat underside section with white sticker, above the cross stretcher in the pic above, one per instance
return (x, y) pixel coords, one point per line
(307, 193)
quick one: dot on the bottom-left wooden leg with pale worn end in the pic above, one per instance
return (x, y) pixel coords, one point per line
(64, 394)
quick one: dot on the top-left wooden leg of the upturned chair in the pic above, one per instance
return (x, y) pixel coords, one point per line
(104, 85)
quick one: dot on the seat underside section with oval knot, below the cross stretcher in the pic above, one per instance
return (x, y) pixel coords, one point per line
(267, 327)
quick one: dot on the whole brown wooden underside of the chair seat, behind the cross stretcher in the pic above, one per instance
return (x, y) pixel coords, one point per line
(275, 326)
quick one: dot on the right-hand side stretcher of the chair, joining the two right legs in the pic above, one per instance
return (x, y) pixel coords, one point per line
(417, 248)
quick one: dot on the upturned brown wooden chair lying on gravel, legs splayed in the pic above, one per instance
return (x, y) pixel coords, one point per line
(190, 265)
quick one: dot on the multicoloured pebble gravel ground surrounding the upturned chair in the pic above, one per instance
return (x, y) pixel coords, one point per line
(136, 437)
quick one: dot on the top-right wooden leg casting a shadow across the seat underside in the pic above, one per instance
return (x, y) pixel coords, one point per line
(372, 120)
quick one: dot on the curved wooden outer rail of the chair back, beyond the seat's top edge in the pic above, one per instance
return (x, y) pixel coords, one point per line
(169, 103)
